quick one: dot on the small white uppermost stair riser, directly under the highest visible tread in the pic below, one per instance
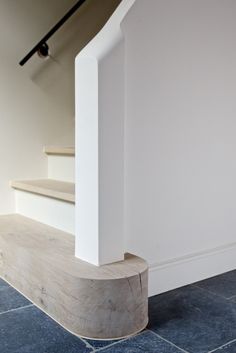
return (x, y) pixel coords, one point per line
(61, 168)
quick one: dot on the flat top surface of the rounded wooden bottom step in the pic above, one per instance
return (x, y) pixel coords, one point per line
(56, 248)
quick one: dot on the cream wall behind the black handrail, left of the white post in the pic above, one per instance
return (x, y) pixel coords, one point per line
(37, 101)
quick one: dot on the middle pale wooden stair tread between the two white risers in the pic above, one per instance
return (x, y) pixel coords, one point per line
(56, 189)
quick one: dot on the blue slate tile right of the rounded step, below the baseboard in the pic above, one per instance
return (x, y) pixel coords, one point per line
(193, 319)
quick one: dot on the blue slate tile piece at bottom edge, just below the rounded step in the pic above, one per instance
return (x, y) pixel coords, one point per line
(146, 342)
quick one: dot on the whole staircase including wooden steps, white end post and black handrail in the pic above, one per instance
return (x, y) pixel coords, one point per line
(104, 296)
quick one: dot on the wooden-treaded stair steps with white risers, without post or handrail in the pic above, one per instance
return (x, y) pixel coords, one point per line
(37, 257)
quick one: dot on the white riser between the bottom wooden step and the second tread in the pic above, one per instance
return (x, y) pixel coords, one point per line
(55, 213)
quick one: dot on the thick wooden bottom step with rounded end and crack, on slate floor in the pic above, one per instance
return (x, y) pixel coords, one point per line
(39, 262)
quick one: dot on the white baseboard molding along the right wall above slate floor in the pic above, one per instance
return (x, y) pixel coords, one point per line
(168, 275)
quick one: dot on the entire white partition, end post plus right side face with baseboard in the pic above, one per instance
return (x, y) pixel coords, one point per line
(178, 59)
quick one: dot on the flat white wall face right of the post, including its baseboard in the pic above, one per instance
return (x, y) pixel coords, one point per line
(181, 138)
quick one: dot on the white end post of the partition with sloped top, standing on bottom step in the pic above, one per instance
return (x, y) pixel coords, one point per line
(100, 144)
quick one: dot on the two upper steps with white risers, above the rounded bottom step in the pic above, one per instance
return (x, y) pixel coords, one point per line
(46, 200)
